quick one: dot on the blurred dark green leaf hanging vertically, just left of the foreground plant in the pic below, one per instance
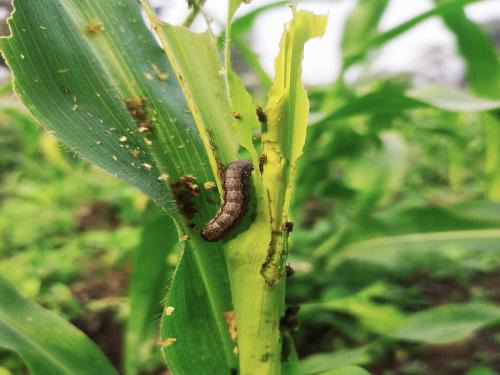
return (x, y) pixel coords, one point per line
(148, 283)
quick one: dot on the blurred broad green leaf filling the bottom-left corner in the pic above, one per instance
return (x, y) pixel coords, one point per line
(47, 343)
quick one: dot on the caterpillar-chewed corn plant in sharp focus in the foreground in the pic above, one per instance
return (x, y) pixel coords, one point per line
(168, 120)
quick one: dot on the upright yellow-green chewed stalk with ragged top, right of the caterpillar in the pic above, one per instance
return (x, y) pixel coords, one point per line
(283, 136)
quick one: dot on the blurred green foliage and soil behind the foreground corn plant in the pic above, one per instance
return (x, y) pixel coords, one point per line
(396, 236)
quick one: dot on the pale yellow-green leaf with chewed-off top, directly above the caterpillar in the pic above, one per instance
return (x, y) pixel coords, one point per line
(198, 69)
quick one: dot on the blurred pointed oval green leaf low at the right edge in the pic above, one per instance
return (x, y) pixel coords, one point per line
(447, 324)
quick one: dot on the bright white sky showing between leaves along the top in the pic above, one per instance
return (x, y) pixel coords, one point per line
(322, 56)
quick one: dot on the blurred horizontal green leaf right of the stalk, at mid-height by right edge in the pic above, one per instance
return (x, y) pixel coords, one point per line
(384, 235)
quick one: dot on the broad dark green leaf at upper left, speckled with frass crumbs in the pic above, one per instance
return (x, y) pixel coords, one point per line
(119, 110)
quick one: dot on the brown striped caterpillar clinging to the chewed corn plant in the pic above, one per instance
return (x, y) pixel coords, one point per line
(236, 185)
